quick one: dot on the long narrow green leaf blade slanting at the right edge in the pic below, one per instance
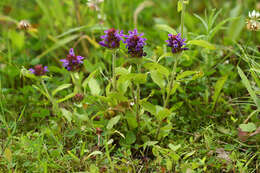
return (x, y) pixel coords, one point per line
(248, 87)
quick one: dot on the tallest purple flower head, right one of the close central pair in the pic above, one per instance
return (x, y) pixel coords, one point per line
(135, 43)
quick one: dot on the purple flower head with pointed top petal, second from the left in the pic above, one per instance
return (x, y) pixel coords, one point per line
(72, 62)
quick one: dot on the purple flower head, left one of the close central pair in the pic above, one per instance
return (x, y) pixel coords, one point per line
(111, 39)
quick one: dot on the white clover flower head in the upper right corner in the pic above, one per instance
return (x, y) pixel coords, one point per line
(253, 23)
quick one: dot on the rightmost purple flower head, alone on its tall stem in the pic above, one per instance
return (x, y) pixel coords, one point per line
(176, 43)
